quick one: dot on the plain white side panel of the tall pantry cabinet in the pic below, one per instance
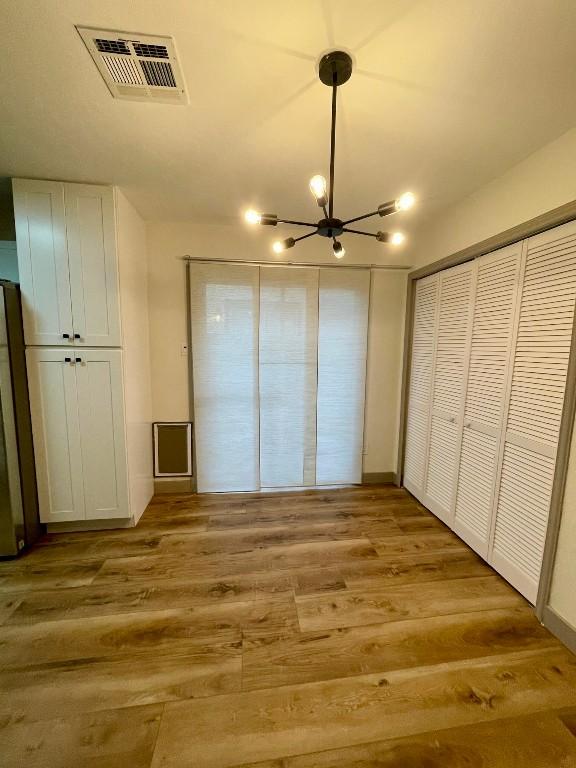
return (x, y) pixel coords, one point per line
(132, 260)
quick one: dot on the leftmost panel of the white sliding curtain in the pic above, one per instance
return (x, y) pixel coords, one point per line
(224, 314)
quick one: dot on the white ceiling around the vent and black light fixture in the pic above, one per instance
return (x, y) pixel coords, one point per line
(446, 95)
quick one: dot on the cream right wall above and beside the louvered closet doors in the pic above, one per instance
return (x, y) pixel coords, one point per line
(545, 180)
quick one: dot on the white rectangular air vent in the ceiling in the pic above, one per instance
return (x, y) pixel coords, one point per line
(137, 67)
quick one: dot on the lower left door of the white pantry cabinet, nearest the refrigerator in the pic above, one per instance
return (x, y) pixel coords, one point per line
(56, 431)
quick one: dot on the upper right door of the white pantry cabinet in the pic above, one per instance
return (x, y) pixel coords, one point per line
(90, 226)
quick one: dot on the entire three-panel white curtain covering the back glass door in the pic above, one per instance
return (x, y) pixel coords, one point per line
(279, 363)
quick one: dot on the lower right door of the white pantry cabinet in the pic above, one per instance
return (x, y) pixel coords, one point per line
(101, 409)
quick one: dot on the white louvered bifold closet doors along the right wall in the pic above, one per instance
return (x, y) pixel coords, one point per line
(490, 351)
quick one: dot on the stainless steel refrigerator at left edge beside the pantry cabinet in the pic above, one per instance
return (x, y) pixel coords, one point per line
(19, 521)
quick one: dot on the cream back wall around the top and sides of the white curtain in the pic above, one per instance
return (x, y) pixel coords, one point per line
(169, 241)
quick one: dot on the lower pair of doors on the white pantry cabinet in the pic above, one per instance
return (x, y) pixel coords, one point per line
(79, 434)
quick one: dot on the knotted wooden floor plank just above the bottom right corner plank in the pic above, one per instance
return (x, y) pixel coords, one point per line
(279, 722)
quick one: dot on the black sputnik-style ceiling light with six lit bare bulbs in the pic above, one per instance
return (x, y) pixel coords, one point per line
(334, 70)
